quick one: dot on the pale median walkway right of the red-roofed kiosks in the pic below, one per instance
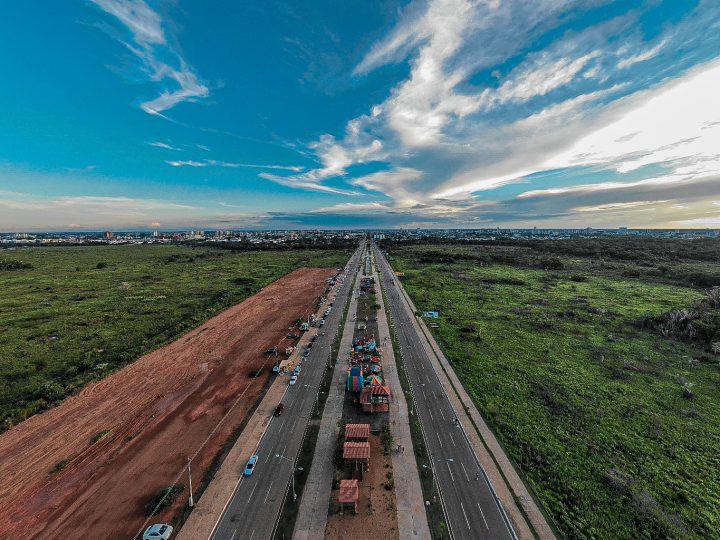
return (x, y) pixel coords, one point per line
(412, 518)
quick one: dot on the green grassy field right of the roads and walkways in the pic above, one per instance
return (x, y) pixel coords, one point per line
(588, 405)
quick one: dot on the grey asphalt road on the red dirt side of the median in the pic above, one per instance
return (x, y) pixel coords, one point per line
(255, 507)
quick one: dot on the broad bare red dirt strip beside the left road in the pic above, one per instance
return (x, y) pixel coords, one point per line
(156, 412)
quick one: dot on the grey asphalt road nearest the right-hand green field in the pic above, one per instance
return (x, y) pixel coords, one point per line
(470, 508)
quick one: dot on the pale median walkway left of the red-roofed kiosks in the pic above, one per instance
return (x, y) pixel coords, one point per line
(312, 514)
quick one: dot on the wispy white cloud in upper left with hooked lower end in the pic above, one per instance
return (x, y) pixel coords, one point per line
(149, 44)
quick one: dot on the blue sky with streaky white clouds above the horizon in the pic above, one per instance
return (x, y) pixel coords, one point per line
(132, 114)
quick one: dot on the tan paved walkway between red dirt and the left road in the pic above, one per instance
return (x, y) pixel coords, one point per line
(211, 505)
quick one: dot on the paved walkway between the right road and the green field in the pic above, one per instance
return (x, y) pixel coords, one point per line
(529, 523)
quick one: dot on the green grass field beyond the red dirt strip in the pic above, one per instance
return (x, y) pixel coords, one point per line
(77, 314)
